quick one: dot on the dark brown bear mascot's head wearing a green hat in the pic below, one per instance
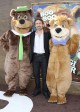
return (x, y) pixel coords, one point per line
(21, 19)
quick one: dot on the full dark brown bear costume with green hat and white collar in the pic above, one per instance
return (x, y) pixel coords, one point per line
(17, 70)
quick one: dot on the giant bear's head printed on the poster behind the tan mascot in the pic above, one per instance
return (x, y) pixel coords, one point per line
(50, 12)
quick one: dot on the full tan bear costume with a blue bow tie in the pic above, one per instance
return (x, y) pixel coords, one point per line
(59, 70)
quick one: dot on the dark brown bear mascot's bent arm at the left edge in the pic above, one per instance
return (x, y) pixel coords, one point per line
(4, 41)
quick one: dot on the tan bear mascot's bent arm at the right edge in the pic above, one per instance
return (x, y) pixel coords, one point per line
(73, 44)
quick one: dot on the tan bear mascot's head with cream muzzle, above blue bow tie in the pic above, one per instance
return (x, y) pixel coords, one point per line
(60, 27)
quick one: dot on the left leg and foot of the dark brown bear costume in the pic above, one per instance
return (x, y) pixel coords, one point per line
(11, 76)
